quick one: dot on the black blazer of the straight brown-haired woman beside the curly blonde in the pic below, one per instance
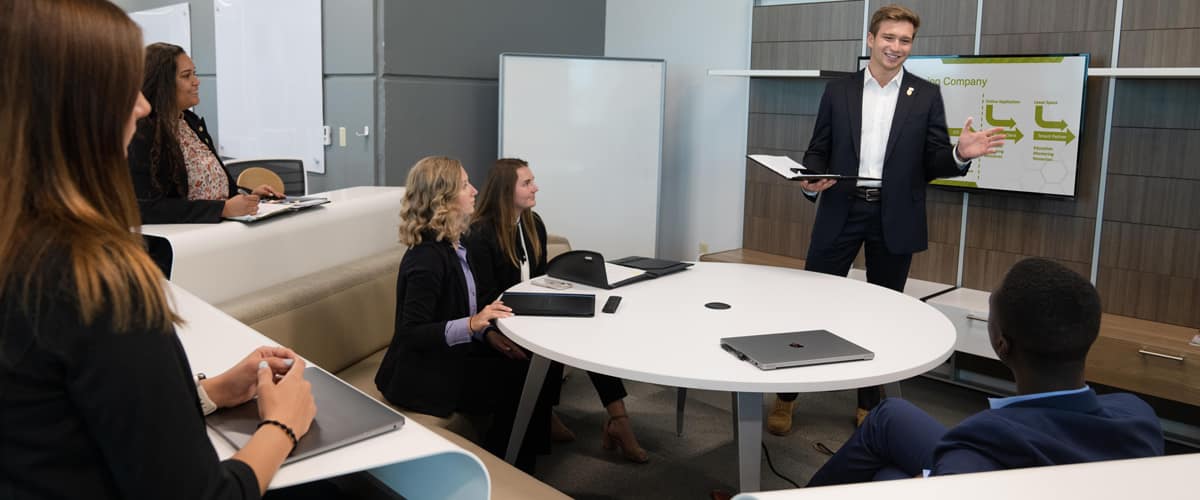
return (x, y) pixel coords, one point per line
(494, 270)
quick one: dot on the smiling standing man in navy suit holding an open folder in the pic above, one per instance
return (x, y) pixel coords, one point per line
(887, 124)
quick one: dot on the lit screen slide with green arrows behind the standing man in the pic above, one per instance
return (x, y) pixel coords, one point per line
(1039, 101)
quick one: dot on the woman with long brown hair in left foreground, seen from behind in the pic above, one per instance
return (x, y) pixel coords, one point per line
(97, 396)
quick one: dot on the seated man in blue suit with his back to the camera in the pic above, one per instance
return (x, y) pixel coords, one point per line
(1043, 321)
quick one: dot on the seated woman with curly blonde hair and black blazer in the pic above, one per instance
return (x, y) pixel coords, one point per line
(446, 356)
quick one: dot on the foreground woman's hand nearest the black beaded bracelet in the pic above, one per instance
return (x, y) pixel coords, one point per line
(287, 401)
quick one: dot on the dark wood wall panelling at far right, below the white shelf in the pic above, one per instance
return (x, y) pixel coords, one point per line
(1150, 246)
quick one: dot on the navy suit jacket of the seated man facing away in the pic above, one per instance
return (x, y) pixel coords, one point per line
(1057, 431)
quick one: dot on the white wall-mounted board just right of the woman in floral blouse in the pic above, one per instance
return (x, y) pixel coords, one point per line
(269, 81)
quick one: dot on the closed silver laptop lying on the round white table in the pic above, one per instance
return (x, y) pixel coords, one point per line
(795, 350)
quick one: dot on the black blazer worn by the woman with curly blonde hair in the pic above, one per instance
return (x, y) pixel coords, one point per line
(419, 371)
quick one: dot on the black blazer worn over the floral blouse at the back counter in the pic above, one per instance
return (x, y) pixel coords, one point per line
(169, 203)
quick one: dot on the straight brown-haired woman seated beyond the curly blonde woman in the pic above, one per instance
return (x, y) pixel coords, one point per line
(507, 252)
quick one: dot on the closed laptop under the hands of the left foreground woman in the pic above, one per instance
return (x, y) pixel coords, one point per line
(344, 417)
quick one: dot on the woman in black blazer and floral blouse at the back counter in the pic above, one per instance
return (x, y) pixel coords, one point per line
(178, 176)
